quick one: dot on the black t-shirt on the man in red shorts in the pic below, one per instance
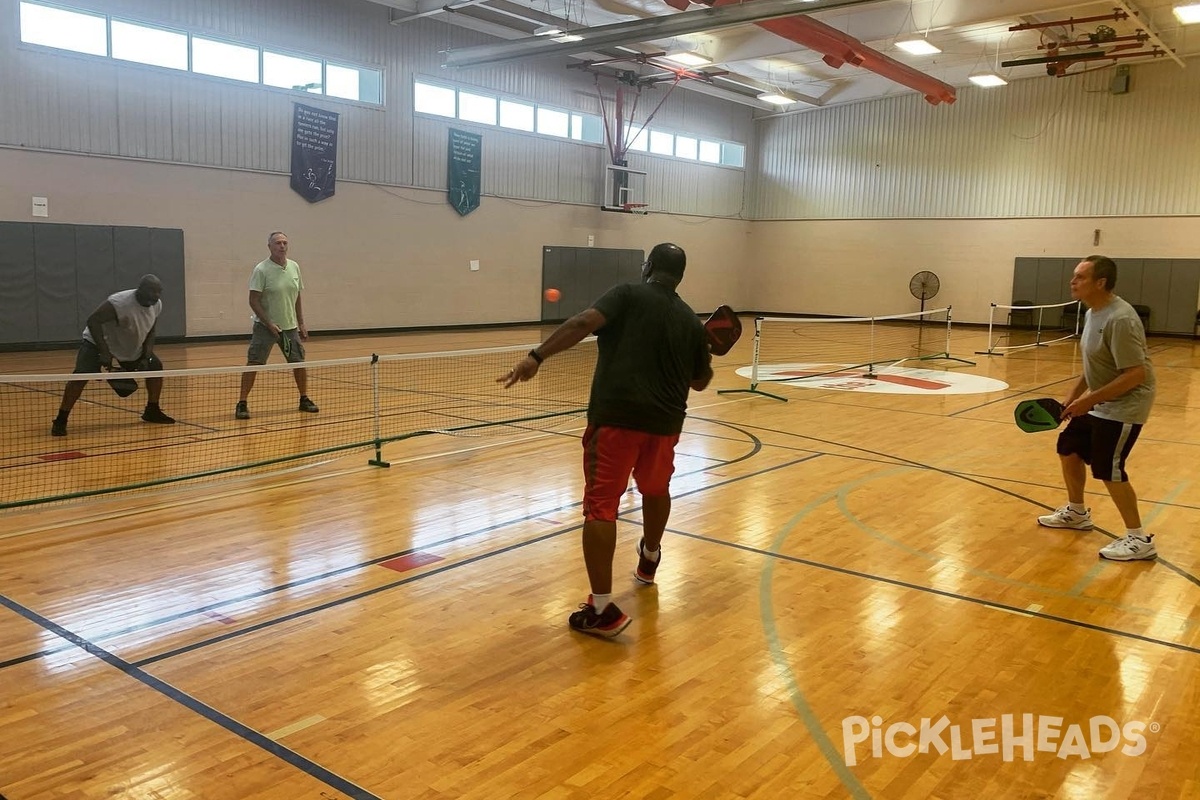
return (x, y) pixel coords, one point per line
(651, 348)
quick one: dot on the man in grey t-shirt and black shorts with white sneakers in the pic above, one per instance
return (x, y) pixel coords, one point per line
(1107, 407)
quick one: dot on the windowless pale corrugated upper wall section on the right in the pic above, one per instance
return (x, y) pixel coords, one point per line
(1042, 147)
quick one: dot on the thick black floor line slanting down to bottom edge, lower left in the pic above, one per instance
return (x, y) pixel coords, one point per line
(189, 702)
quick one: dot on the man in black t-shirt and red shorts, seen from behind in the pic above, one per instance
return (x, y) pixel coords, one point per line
(652, 351)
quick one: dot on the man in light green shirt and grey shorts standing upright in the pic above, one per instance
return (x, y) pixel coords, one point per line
(275, 288)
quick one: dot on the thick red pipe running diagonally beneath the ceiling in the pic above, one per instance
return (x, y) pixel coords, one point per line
(838, 49)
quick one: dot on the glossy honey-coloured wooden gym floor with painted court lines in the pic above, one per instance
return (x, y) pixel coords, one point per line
(842, 572)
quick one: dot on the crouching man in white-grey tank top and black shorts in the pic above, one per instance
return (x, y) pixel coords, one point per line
(122, 329)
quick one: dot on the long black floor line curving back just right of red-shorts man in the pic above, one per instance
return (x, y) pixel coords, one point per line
(757, 447)
